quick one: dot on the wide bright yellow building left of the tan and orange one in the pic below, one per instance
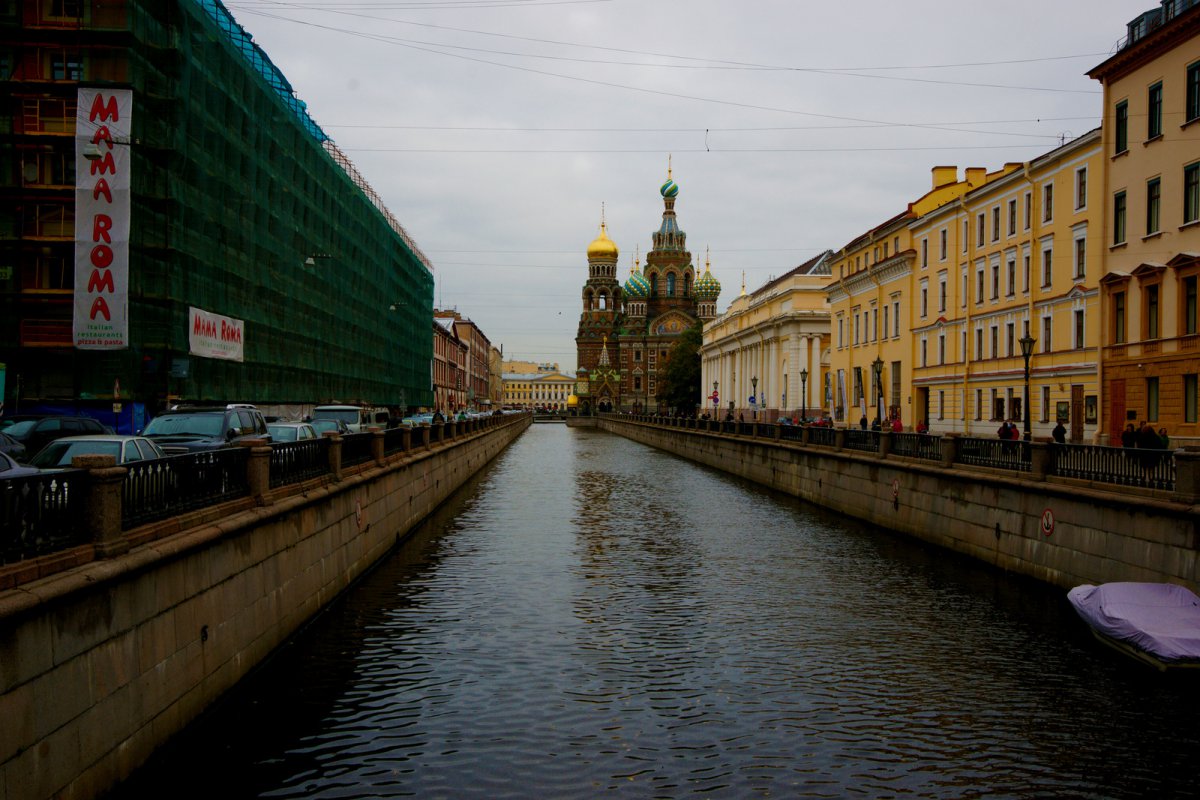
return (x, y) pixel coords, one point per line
(1017, 258)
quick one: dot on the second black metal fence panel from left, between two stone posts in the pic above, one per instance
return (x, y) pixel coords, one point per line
(157, 490)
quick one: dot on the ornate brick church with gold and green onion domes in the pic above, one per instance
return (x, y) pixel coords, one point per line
(627, 330)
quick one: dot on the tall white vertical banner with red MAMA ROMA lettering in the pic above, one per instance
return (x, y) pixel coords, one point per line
(103, 219)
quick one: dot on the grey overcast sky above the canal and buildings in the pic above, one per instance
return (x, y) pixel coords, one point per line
(496, 130)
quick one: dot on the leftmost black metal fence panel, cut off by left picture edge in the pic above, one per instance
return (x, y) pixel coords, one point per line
(41, 514)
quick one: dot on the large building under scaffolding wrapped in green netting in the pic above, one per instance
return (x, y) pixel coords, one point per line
(241, 210)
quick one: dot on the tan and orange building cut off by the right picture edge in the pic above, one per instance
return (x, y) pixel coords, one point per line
(1151, 226)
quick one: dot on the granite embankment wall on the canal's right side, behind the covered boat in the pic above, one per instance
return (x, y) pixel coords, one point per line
(1097, 536)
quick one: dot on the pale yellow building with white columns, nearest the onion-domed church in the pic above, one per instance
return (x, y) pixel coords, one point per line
(772, 346)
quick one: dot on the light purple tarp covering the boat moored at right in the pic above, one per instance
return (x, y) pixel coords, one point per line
(1163, 619)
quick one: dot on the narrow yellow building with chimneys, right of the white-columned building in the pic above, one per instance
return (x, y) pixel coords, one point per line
(872, 306)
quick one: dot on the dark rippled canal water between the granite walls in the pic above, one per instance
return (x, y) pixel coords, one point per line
(595, 618)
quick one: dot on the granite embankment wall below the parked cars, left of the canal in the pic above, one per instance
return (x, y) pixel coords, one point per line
(100, 665)
